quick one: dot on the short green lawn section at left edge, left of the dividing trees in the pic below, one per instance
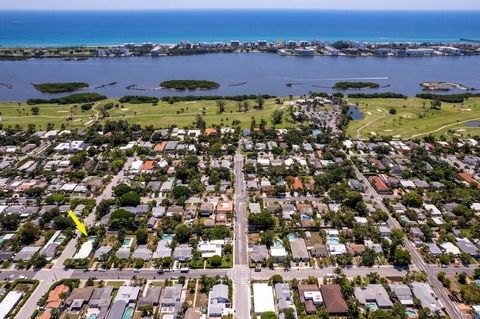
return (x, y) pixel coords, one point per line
(14, 113)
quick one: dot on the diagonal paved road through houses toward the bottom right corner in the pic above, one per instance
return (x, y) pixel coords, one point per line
(417, 259)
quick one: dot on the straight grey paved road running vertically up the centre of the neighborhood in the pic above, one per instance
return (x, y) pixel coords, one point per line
(241, 273)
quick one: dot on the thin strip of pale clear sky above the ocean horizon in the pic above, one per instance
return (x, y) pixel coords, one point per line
(208, 4)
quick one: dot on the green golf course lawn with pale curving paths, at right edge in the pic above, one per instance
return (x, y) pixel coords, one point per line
(414, 118)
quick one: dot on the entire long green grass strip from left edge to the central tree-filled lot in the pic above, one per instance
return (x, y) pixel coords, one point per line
(181, 114)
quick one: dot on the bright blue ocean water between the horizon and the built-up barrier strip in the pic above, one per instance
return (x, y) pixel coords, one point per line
(58, 28)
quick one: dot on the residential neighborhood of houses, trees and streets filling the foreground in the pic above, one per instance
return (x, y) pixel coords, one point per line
(225, 222)
